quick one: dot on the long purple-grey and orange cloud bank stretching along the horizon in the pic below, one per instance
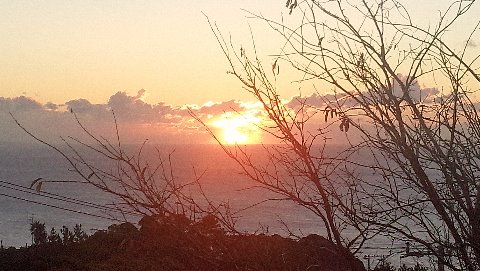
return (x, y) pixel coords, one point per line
(138, 120)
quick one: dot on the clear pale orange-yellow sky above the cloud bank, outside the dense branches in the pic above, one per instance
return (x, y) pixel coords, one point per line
(60, 50)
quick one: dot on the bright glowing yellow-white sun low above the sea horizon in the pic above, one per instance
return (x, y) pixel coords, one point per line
(238, 129)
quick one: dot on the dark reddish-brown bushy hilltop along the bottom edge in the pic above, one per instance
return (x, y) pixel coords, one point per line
(173, 242)
